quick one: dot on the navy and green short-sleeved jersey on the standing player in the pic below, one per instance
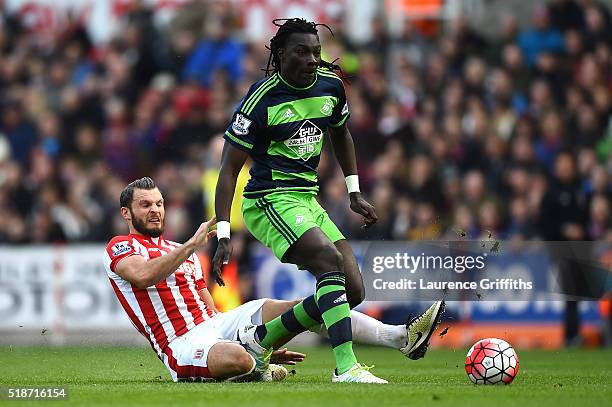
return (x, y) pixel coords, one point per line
(282, 129)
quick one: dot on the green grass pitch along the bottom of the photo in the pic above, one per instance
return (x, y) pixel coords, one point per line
(135, 377)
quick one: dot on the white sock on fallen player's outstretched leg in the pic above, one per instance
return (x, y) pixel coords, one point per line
(370, 331)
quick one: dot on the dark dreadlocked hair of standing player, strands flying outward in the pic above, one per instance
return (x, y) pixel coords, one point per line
(288, 26)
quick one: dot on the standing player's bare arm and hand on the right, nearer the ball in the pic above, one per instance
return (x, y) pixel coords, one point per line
(344, 150)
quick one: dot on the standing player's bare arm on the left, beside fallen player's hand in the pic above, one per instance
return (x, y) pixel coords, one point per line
(232, 161)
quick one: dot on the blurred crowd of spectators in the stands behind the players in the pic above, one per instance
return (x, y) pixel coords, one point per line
(457, 133)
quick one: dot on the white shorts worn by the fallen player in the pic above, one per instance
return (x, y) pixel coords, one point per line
(187, 355)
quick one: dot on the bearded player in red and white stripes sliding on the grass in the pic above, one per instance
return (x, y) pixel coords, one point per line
(161, 287)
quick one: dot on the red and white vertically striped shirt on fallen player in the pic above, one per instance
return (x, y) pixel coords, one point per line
(168, 309)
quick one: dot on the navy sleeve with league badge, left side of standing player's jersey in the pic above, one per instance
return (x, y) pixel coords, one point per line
(243, 128)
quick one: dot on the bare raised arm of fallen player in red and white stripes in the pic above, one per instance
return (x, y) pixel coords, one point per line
(144, 273)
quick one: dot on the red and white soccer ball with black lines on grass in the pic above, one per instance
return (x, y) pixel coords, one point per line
(491, 361)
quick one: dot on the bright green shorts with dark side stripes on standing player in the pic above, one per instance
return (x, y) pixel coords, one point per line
(280, 218)
